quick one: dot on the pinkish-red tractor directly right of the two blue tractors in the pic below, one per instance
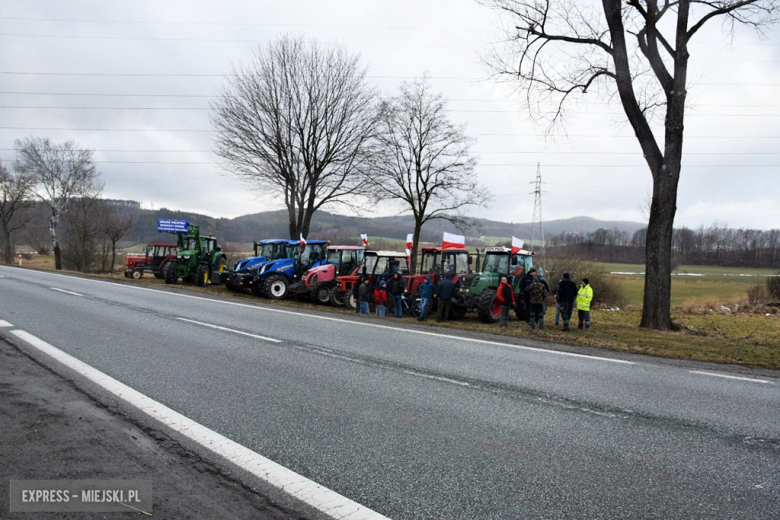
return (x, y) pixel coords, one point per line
(319, 282)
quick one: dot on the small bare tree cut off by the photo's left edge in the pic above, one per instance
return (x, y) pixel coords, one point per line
(16, 189)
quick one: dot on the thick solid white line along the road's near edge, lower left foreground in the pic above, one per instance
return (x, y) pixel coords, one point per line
(308, 491)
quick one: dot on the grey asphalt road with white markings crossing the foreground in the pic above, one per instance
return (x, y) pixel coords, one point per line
(417, 425)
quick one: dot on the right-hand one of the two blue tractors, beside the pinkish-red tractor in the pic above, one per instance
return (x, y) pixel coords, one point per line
(274, 278)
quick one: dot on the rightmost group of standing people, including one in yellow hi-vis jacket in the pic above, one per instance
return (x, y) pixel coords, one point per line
(535, 290)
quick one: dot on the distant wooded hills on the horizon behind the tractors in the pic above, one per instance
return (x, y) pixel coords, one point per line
(273, 224)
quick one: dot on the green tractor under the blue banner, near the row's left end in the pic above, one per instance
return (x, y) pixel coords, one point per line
(199, 260)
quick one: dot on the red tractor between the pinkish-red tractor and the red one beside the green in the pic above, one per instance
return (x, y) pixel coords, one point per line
(376, 265)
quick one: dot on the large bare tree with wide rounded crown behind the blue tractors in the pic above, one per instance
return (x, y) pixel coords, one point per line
(298, 121)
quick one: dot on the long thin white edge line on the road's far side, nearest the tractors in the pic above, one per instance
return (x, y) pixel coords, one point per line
(327, 318)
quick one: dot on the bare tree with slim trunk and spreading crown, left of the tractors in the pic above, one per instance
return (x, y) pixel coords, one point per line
(62, 171)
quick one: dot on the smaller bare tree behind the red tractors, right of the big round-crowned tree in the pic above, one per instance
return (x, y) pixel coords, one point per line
(424, 160)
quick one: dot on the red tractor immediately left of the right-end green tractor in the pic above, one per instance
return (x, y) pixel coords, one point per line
(436, 262)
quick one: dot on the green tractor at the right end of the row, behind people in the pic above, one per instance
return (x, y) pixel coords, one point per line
(479, 290)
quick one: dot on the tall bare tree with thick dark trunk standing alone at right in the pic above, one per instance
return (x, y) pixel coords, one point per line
(639, 48)
